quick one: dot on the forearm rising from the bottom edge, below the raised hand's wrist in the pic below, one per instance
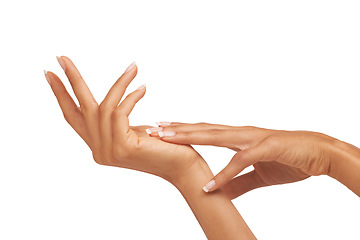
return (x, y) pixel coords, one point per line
(214, 211)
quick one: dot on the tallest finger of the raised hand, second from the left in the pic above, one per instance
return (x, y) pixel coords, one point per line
(81, 90)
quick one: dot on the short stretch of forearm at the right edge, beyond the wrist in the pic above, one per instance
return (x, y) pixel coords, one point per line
(345, 166)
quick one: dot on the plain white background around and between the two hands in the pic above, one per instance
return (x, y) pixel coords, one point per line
(275, 64)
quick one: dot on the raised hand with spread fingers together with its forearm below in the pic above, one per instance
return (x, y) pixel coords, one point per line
(105, 129)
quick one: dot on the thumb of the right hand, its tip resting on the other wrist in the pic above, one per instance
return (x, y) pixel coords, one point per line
(238, 163)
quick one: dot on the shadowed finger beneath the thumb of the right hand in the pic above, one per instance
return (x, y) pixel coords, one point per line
(242, 184)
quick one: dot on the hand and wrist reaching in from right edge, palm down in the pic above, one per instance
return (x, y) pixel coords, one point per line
(277, 156)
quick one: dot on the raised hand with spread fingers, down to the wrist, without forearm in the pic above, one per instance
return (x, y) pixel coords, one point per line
(105, 127)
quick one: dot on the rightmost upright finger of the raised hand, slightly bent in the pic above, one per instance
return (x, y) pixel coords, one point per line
(122, 112)
